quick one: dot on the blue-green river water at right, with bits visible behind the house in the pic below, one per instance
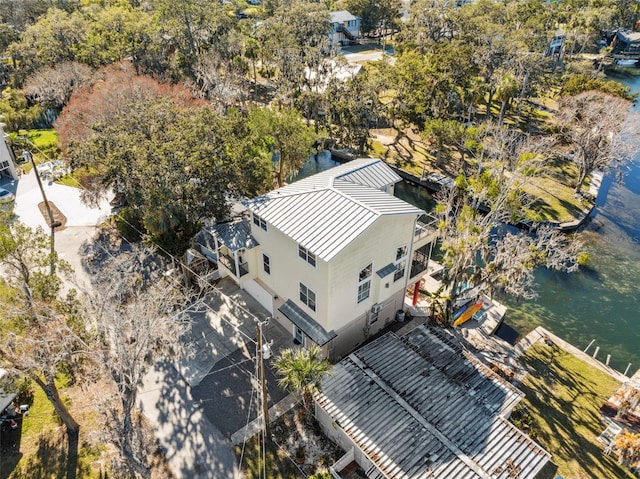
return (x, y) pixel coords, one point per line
(600, 302)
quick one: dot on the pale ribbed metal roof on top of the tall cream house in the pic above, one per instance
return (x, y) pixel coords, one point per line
(327, 211)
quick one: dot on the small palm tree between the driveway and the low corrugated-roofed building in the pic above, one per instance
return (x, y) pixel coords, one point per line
(301, 372)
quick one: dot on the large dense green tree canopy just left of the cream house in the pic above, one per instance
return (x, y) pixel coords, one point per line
(173, 165)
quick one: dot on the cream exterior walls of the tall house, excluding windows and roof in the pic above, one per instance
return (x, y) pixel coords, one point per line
(336, 283)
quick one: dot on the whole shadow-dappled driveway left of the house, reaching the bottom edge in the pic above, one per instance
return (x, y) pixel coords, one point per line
(197, 405)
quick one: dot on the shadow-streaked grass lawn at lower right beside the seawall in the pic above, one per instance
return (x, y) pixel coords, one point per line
(564, 395)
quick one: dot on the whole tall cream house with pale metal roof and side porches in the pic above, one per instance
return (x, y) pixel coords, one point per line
(329, 256)
